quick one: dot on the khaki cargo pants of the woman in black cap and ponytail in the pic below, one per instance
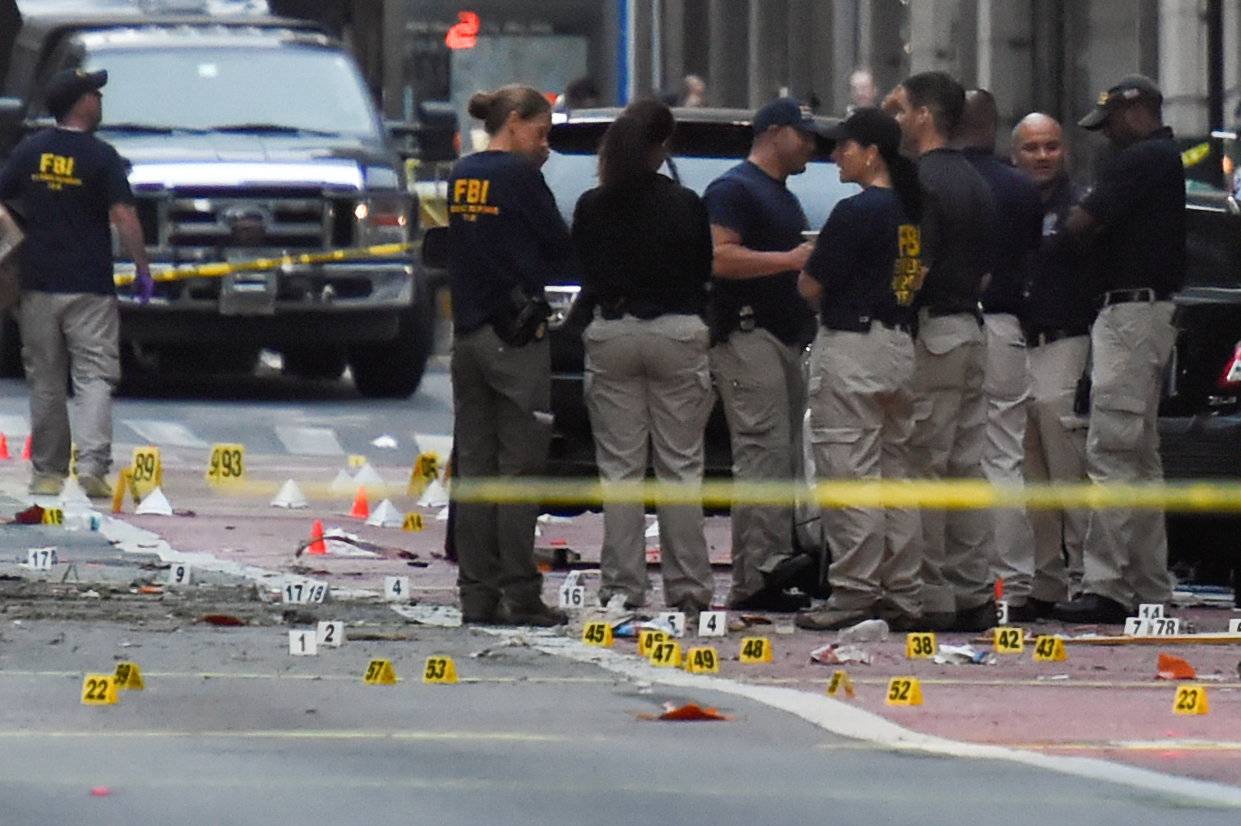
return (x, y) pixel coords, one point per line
(862, 402)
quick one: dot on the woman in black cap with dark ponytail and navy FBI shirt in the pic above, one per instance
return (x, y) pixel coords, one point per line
(863, 276)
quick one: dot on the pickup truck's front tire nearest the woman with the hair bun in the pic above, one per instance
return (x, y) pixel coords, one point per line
(394, 369)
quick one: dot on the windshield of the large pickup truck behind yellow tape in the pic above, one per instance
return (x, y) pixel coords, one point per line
(272, 91)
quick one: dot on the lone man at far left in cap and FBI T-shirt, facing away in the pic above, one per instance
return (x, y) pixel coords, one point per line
(70, 187)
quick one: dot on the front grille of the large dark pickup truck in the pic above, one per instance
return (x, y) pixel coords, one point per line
(204, 223)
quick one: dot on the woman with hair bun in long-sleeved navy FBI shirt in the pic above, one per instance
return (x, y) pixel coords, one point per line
(506, 239)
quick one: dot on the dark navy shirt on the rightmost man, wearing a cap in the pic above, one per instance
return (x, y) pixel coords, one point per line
(1140, 203)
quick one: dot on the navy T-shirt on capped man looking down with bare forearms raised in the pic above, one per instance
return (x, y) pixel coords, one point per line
(769, 219)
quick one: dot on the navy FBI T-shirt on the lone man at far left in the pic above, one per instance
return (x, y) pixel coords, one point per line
(66, 182)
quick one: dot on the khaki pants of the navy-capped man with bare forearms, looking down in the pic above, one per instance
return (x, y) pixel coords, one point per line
(761, 383)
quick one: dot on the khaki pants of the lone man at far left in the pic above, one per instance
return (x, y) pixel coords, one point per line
(75, 335)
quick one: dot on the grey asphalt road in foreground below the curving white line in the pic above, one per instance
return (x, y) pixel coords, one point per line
(231, 729)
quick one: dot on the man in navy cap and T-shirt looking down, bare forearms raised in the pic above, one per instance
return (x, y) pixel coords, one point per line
(760, 332)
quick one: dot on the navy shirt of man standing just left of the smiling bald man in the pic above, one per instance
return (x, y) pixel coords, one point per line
(1018, 230)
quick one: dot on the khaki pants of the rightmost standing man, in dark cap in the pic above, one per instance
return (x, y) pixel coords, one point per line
(1126, 551)
